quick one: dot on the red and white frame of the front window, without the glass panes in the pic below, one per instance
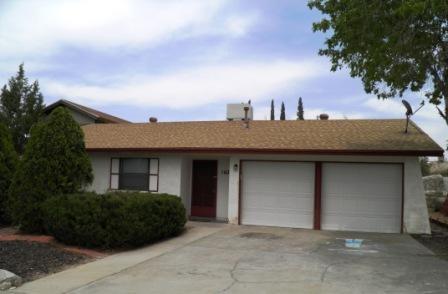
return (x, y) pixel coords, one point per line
(148, 174)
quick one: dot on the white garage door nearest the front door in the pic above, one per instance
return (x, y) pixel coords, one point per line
(277, 194)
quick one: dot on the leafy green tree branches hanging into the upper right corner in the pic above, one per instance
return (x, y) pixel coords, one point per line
(393, 46)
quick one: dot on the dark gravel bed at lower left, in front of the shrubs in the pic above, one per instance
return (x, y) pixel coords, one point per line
(31, 260)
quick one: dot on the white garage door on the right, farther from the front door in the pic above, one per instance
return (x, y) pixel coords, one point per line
(361, 197)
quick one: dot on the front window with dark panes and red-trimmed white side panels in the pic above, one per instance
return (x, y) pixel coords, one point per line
(138, 174)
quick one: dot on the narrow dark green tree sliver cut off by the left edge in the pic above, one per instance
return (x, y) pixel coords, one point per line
(8, 163)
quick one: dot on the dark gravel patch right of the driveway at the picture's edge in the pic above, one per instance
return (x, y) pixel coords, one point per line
(437, 242)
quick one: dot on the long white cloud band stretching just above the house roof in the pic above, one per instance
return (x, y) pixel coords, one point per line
(194, 86)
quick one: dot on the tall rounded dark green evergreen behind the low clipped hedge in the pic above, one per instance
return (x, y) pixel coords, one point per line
(55, 162)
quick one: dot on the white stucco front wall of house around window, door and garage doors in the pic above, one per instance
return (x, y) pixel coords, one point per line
(175, 178)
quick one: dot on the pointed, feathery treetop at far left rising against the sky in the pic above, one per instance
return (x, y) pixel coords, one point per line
(21, 106)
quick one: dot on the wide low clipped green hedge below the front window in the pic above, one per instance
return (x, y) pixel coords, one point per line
(113, 220)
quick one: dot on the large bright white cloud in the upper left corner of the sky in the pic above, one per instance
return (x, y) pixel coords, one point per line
(39, 28)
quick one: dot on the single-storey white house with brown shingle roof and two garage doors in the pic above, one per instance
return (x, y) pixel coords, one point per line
(355, 175)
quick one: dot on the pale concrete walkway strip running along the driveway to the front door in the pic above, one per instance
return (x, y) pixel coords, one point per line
(85, 274)
